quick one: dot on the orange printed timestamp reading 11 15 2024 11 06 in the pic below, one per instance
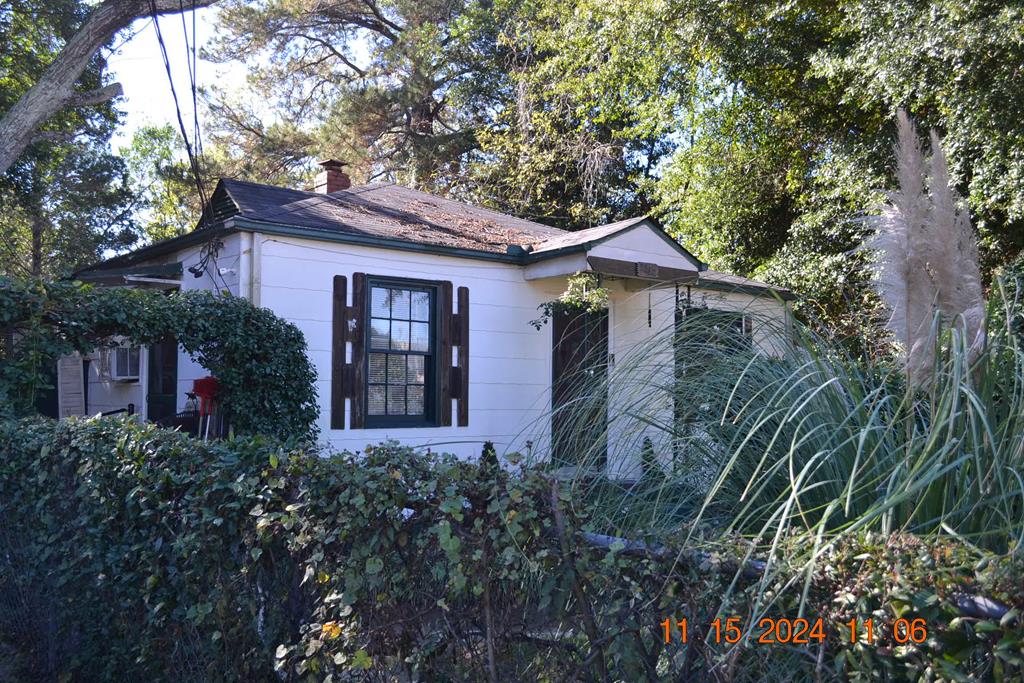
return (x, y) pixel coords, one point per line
(796, 631)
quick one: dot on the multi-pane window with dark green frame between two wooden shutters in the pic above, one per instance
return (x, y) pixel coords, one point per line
(401, 355)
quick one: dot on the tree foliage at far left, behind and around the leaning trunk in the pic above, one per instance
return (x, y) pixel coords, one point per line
(67, 199)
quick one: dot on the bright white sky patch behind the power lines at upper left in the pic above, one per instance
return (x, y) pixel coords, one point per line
(139, 66)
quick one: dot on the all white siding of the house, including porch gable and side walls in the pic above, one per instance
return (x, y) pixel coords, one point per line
(510, 363)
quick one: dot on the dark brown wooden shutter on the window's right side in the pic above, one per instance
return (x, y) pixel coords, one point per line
(454, 333)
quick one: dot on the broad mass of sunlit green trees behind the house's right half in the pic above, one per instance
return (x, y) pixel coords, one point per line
(772, 125)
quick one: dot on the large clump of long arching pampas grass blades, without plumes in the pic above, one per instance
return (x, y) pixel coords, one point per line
(797, 437)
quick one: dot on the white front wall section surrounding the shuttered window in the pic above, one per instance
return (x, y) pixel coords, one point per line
(510, 362)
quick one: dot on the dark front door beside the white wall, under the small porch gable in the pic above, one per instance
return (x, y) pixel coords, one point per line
(579, 390)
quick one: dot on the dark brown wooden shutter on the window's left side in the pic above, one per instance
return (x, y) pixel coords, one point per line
(349, 379)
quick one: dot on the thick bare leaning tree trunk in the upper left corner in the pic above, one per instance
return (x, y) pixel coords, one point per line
(56, 89)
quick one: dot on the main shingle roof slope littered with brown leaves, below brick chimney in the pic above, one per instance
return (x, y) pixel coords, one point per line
(389, 211)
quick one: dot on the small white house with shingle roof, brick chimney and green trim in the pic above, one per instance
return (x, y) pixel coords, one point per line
(417, 310)
